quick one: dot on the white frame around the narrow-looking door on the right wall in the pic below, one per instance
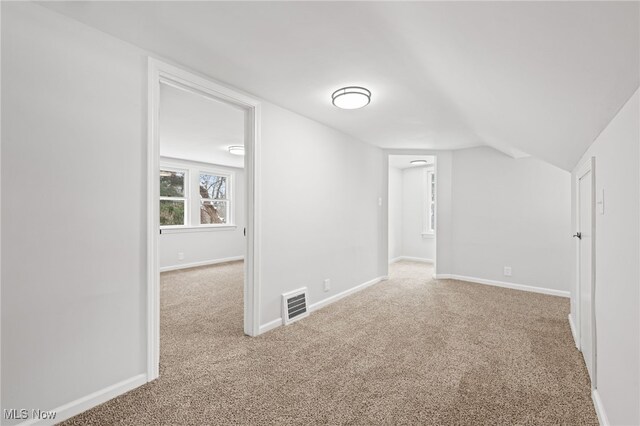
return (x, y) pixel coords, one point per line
(588, 166)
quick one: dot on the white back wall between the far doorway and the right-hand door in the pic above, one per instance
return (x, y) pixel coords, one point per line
(509, 212)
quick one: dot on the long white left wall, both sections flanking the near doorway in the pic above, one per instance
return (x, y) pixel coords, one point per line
(74, 269)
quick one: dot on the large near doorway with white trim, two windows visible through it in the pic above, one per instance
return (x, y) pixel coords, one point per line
(202, 200)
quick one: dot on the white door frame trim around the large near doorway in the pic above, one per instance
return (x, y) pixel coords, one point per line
(162, 72)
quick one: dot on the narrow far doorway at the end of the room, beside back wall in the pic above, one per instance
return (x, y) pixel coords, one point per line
(412, 211)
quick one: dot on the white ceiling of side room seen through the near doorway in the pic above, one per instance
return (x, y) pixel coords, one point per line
(197, 128)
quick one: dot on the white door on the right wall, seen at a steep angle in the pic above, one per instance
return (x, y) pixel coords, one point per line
(585, 206)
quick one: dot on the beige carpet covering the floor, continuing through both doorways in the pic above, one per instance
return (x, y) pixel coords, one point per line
(409, 350)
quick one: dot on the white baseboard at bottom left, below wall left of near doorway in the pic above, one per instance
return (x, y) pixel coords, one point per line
(80, 405)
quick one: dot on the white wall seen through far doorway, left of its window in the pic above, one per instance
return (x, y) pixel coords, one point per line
(414, 243)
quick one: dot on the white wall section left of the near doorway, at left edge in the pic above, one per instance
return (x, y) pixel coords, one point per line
(74, 190)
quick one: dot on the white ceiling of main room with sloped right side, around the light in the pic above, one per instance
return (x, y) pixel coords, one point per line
(538, 78)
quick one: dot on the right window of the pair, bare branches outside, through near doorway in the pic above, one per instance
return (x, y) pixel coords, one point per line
(214, 200)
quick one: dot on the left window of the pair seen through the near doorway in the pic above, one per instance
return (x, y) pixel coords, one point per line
(173, 200)
